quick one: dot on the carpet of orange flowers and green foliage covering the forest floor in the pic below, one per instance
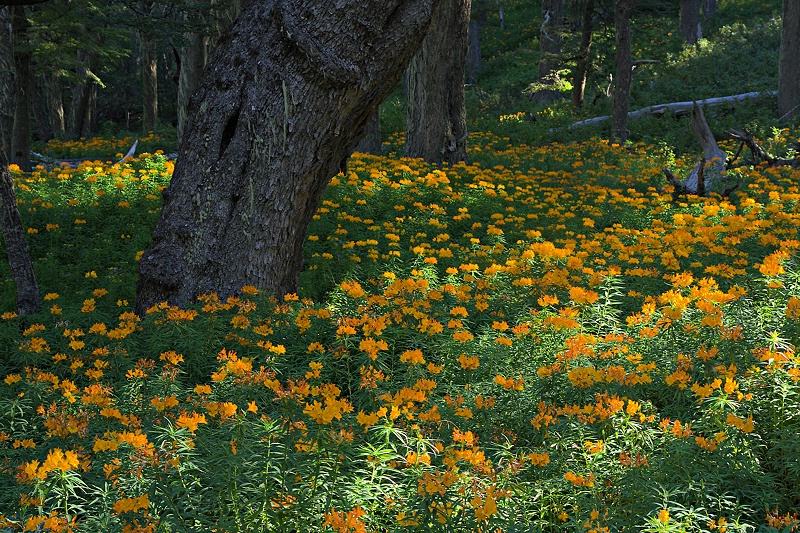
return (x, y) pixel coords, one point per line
(544, 338)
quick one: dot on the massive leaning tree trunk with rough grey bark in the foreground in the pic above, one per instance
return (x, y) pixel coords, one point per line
(280, 106)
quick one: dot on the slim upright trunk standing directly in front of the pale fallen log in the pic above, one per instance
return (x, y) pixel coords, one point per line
(622, 85)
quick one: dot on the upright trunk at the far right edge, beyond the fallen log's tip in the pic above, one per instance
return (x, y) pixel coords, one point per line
(789, 66)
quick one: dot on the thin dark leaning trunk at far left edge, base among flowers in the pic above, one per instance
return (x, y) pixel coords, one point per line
(19, 259)
